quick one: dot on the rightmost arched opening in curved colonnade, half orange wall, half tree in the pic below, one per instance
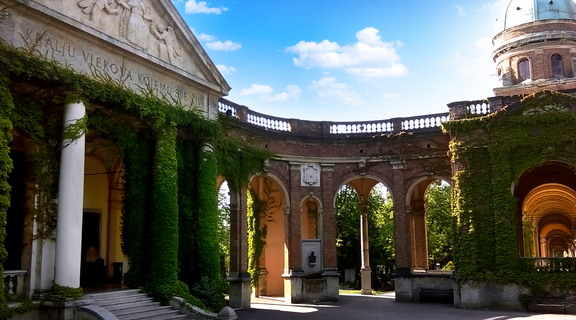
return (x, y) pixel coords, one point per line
(432, 227)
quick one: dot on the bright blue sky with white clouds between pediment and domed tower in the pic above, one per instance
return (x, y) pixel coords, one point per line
(348, 60)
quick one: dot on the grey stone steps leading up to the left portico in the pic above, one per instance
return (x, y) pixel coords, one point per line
(131, 304)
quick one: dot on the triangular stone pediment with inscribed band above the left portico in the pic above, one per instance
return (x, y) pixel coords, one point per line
(142, 44)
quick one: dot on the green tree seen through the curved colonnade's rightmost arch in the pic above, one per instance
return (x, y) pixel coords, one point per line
(440, 223)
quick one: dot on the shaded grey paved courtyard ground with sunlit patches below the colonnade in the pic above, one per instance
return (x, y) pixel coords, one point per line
(384, 307)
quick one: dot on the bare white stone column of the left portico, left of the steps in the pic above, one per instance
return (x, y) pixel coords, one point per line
(70, 202)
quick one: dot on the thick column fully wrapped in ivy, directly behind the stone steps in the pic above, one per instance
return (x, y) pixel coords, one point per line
(163, 275)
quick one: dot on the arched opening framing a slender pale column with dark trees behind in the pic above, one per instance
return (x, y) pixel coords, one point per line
(365, 235)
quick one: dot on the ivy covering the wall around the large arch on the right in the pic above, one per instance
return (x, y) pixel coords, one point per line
(491, 153)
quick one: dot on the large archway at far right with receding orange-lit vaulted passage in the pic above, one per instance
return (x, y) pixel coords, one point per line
(547, 212)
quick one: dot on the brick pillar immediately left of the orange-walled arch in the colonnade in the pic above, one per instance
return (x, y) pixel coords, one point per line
(239, 277)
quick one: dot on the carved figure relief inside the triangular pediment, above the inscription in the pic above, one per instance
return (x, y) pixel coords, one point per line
(136, 23)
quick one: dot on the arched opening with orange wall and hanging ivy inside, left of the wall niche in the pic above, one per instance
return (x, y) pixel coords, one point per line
(266, 236)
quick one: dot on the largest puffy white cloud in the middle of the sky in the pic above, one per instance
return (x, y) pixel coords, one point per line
(369, 57)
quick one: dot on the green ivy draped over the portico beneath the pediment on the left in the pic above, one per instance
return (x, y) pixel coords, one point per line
(169, 212)
